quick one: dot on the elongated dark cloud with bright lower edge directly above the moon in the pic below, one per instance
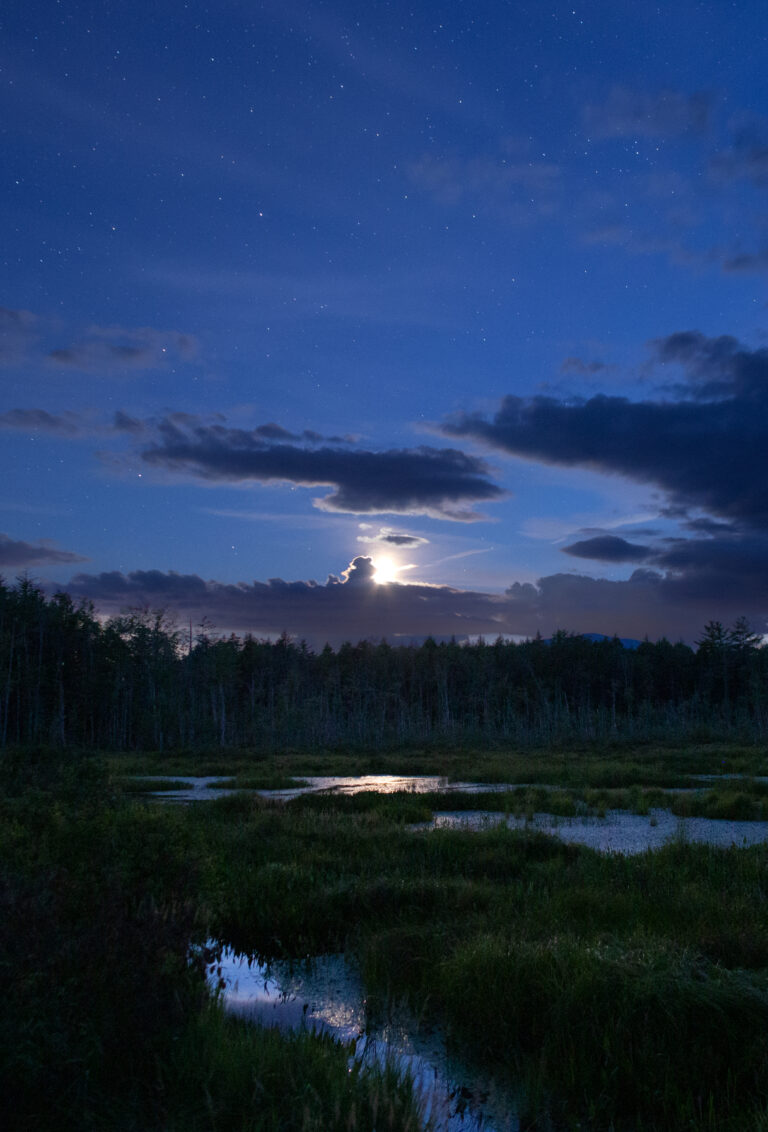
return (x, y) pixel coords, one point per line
(442, 483)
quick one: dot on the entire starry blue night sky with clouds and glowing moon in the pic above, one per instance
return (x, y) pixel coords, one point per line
(383, 320)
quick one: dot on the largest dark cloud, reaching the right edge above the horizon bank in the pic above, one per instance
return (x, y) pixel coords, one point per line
(707, 449)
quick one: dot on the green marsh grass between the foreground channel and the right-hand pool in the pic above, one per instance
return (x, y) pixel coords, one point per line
(611, 987)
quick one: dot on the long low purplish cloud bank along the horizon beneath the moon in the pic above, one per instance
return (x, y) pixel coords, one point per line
(355, 607)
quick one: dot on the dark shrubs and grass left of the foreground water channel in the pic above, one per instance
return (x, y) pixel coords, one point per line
(106, 1018)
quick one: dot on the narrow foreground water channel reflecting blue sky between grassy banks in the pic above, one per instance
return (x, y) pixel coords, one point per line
(326, 994)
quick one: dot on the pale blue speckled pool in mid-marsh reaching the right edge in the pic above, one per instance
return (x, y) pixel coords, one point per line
(618, 833)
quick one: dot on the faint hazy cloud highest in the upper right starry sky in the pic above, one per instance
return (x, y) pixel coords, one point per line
(641, 114)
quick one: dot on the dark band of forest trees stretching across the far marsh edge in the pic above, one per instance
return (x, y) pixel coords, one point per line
(136, 682)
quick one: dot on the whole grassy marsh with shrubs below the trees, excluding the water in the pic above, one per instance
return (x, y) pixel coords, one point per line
(617, 993)
